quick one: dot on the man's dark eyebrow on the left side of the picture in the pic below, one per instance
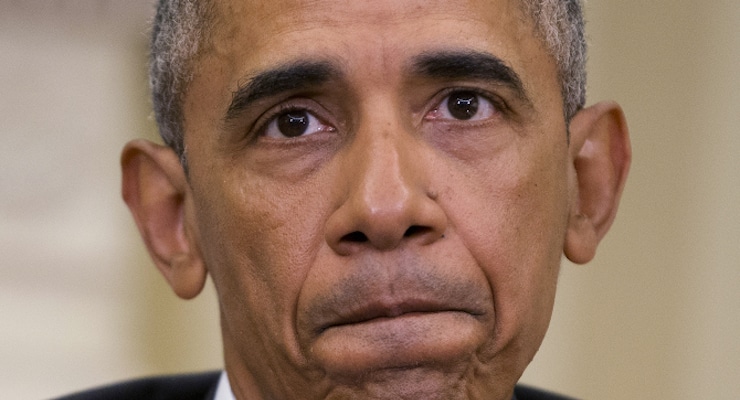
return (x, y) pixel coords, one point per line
(284, 78)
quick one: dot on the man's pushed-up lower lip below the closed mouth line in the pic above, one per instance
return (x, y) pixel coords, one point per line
(412, 339)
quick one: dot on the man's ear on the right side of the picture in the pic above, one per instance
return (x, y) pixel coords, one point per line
(601, 154)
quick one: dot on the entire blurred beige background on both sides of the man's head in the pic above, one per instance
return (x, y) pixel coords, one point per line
(655, 315)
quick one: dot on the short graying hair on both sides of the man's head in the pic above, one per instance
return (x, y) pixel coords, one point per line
(181, 27)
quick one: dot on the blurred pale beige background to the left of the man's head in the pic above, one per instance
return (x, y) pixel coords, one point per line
(80, 303)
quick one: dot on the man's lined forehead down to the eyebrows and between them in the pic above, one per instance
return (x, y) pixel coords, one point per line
(370, 41)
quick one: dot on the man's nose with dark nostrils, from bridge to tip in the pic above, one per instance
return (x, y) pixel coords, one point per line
(387, 198)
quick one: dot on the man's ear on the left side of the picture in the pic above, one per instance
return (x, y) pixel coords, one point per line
(157, 193)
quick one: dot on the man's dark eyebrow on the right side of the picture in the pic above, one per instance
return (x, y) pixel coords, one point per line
(469, 65)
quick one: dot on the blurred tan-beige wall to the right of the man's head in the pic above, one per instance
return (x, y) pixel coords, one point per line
(657, 314)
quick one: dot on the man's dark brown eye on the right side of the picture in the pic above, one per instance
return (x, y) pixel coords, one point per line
(463, 105)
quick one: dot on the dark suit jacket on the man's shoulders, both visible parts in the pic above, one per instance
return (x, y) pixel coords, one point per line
(203, 387)
